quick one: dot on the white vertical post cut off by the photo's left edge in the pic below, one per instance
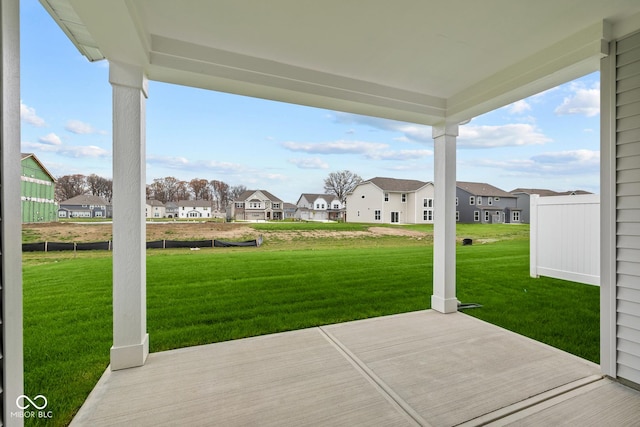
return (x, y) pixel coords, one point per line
(11, 348)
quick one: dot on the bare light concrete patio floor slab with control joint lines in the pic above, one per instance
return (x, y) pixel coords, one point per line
(419, 368)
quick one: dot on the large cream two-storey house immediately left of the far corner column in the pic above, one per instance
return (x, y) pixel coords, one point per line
(391, 201)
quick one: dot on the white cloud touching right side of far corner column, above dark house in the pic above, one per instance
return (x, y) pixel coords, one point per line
(509, 135)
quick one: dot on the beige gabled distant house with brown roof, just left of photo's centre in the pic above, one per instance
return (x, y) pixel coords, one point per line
(257, 205)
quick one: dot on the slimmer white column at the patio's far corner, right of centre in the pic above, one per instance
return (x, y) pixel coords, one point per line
(444, 227)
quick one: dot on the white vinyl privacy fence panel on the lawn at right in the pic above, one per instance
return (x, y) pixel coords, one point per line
(565, 238)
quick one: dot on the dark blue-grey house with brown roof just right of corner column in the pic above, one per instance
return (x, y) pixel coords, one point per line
(478, 202)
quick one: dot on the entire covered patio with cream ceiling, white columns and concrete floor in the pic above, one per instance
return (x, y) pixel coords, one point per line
(437, 63)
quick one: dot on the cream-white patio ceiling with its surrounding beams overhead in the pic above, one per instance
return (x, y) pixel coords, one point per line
(413, 60)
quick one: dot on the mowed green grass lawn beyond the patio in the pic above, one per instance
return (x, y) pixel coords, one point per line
(197, 297)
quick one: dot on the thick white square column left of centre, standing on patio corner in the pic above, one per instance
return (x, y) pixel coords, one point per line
(130, 338)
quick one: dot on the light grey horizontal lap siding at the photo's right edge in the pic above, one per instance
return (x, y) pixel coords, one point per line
(628, 208)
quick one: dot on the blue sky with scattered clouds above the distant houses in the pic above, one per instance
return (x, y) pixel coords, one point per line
(550, 140)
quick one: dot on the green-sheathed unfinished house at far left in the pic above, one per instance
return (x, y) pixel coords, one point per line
(37, 191)
